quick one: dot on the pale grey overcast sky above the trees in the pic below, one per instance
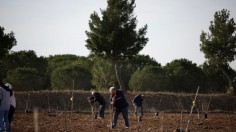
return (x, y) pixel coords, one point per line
(52, 27)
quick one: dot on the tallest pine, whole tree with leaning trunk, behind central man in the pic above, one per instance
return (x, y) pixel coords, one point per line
(114, 36)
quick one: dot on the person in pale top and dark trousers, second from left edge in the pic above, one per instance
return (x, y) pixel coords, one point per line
(12, 104)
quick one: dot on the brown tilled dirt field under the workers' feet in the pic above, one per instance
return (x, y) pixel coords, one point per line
(83, 122)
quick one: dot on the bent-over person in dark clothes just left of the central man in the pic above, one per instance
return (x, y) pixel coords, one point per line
(102, 103)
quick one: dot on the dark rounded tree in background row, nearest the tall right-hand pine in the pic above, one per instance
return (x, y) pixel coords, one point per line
(185, 76)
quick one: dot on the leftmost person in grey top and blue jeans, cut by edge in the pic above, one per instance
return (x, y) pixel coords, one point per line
(4, 107)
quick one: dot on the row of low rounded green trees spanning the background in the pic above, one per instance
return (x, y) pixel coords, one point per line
(27, 72)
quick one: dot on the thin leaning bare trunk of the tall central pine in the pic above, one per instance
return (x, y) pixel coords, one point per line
(118, 75)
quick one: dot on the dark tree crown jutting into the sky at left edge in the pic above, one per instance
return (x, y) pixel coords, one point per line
(7, 41)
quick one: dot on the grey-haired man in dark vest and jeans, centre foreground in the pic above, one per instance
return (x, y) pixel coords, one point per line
(119, 105)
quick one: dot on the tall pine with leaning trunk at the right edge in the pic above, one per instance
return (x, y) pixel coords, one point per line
(219, 46)
